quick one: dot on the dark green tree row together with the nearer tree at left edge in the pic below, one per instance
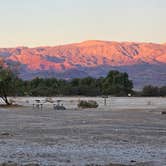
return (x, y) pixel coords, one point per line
(115, 83)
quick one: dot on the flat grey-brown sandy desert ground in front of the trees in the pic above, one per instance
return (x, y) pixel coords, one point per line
(126, 131)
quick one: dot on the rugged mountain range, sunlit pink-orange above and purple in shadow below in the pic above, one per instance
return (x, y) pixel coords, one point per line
(144, 62)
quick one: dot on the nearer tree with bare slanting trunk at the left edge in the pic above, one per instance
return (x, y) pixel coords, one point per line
(7, 83)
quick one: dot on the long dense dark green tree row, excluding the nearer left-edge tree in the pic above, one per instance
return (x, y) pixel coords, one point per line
(115, 83)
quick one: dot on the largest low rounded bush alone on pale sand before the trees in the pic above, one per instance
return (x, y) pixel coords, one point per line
(88, 104)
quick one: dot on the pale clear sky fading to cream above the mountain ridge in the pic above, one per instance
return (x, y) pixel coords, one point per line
(54, 22)
